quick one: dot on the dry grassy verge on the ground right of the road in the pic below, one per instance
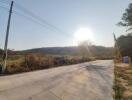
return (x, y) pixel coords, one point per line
(123, 82)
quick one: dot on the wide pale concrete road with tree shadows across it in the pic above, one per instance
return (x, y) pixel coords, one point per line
(86, 81)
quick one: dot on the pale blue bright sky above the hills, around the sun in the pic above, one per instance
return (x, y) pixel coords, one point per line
(100, 16)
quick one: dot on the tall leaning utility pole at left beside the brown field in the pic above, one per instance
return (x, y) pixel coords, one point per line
(6, 39)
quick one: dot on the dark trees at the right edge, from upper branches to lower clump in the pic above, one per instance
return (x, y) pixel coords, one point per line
(125, 41)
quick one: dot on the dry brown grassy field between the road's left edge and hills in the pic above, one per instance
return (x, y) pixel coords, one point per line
(36, 61)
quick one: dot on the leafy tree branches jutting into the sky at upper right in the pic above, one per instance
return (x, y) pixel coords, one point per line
(127, 18)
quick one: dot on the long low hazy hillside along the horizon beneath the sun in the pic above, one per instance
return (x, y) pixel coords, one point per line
(95, 51)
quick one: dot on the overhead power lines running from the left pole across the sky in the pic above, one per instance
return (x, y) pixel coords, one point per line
(35, 18)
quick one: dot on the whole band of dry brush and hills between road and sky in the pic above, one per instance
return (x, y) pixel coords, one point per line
(44, 58)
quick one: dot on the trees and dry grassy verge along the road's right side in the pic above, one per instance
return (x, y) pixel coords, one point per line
(123, 72)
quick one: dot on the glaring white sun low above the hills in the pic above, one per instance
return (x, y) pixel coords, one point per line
(83, 34)
